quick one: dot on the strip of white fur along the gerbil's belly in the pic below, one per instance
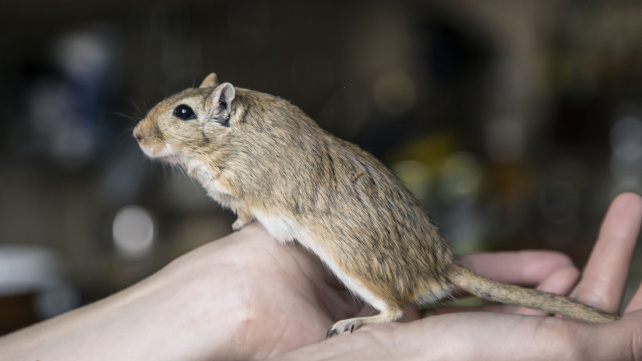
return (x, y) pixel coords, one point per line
(285, 229)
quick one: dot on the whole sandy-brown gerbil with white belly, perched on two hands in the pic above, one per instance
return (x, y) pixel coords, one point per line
(264, 159)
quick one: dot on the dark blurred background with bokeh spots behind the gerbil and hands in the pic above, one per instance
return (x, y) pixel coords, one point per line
(514, 122)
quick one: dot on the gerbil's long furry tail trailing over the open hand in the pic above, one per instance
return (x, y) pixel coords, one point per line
(514, 295)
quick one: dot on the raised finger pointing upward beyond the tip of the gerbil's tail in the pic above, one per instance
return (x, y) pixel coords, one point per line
(604, 278)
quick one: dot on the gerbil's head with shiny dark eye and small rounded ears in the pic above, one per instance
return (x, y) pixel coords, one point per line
(189, 122)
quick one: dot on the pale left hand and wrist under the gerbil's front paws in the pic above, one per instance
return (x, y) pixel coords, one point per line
(244, 296)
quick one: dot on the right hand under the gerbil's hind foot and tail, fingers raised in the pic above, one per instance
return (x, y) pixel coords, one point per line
(497, 336)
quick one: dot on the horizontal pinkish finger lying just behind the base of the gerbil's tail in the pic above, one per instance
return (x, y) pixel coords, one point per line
(524, 267)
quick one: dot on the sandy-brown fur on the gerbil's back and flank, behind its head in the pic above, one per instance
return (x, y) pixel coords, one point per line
(377, 231)
